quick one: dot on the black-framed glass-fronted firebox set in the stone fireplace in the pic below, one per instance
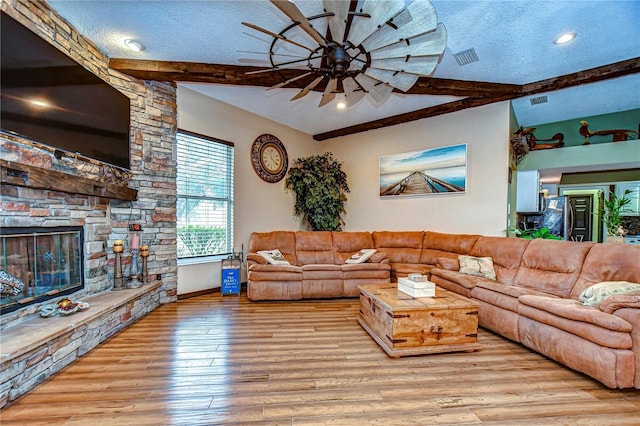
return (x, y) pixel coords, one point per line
(37, 264)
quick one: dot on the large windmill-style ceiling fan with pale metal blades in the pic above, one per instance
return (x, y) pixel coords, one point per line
(366, 47)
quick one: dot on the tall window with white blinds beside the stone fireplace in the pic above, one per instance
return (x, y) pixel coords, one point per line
(205, 195)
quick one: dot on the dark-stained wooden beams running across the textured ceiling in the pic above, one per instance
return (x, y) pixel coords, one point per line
(475, 93)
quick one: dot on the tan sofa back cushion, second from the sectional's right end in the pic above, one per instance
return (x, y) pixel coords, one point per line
(551, 266)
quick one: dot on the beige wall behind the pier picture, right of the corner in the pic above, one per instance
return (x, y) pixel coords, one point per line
(482, 209)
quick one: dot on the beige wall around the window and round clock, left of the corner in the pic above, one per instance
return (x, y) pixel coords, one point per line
(259, 206)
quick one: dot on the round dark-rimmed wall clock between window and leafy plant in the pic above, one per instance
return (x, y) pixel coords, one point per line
(269, 158)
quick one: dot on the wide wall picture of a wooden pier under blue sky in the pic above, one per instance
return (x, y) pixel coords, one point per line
(431, 171)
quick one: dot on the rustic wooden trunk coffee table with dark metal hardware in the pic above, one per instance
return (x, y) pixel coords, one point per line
(403, 325)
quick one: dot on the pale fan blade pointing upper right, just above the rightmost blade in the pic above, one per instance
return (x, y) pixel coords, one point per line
(418, 18)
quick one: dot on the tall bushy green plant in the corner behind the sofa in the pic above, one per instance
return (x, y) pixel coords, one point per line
(320, 186)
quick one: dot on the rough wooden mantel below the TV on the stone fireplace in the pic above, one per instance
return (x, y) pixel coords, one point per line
(18, 174)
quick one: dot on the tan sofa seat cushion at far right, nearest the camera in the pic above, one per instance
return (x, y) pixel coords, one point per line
(583, 321)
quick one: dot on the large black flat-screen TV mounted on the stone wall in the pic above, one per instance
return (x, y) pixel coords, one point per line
(49, 98)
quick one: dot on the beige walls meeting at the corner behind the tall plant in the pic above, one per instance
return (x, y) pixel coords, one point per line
(261, 206)
